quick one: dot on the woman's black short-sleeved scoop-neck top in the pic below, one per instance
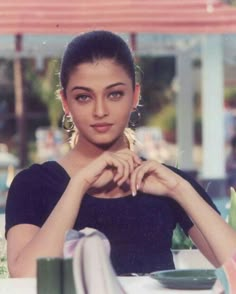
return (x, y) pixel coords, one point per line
(139, 228)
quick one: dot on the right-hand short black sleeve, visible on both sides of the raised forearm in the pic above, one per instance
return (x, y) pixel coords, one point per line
(181, 216)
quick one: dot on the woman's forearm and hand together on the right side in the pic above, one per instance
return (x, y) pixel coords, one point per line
(211, 232)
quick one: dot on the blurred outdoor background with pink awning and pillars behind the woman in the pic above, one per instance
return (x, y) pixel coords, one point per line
(185, 53)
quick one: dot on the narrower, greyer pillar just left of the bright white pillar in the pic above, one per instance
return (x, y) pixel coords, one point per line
(184, 111)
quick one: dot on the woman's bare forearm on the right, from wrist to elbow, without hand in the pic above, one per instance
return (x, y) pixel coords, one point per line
(220, 237)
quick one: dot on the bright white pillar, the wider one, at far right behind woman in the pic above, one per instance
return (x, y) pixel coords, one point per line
(213, 165)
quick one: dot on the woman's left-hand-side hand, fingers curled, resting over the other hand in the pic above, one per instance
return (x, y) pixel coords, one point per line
(110, 167)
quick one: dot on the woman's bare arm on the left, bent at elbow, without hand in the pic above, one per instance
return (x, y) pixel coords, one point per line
(26, 243)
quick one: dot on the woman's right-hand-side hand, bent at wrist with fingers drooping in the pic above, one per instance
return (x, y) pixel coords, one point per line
(154, 178)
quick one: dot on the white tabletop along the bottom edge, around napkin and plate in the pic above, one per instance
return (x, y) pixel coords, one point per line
(133, 285)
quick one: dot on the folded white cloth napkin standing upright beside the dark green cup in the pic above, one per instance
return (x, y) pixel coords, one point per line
(92, 268)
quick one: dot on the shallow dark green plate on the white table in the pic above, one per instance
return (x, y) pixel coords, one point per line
(186, 279)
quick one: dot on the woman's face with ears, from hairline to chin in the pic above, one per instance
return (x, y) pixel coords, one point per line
(100, 98)
